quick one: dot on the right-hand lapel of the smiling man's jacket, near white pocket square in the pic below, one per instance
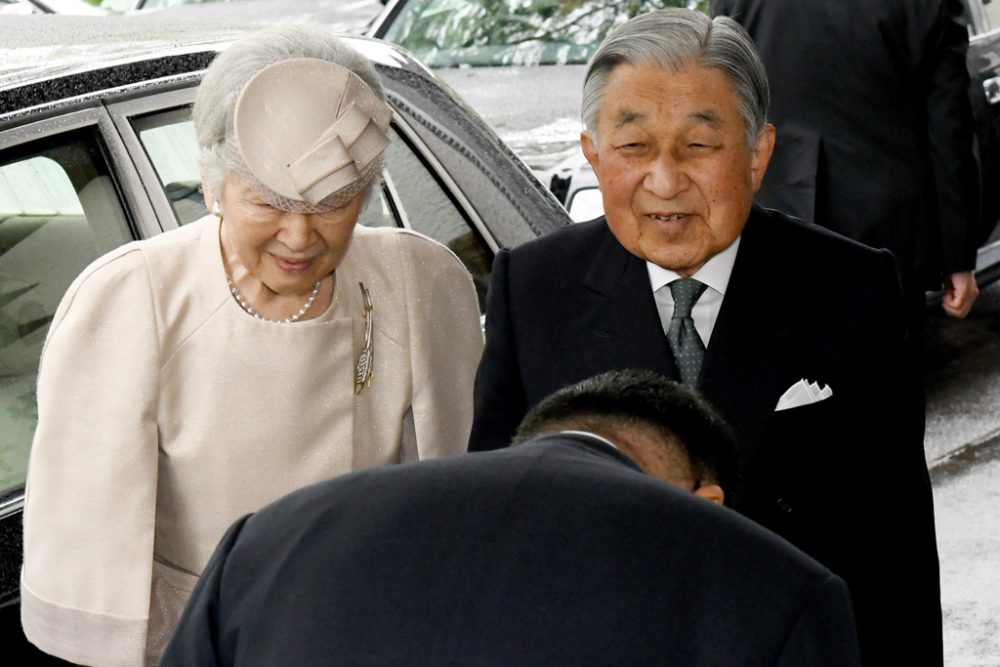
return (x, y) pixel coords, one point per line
(743, 372)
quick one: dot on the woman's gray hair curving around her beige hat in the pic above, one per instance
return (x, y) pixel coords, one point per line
(215, 102)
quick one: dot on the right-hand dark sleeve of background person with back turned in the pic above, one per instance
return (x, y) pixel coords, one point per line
(951, 131)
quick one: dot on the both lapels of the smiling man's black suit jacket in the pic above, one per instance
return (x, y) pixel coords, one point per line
(745, 367)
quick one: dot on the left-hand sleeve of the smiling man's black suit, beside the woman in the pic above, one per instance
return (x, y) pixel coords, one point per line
(500, 403)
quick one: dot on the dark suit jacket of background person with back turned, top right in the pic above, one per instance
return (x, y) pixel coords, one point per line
(874, 125)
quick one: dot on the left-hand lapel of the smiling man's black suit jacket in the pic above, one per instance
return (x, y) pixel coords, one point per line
(620, 326)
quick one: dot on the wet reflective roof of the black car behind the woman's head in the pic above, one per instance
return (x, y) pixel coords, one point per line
(49, 58)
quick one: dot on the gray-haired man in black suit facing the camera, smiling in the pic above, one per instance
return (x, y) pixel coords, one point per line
(795, 334)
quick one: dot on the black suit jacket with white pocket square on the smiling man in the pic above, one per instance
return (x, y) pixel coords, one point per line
(844, 479)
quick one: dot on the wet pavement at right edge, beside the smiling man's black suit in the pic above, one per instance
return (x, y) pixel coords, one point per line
(963, 449)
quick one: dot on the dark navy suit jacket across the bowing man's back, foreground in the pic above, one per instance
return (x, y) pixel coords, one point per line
(555, 552)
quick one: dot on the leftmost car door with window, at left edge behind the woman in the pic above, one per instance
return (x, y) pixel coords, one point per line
(60, 208)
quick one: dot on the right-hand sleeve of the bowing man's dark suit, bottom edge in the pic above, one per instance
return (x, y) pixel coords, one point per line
(823, 633)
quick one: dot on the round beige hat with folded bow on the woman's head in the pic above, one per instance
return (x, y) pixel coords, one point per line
(308, 129)
